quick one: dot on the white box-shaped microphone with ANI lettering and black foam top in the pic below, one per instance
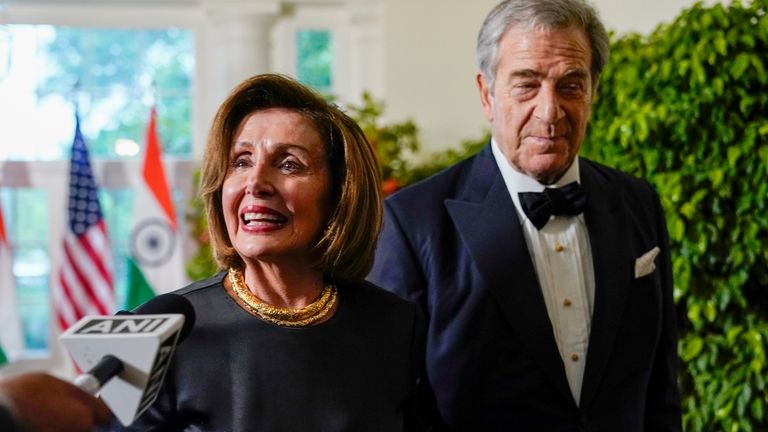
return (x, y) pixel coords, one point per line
(127, 355)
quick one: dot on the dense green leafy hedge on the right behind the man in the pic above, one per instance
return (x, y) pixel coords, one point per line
(687, 108)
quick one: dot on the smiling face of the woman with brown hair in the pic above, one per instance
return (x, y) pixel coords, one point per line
(276, 194)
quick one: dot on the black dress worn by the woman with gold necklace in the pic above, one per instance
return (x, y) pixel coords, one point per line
(358, 371)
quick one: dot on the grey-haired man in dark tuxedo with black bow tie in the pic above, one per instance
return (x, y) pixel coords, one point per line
(538, 321)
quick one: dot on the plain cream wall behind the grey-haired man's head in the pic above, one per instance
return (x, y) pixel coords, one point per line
(429, 64)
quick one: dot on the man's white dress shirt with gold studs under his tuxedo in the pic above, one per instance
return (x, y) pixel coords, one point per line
(562, 258)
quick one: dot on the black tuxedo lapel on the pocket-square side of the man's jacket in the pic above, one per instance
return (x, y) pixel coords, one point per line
(612, 266)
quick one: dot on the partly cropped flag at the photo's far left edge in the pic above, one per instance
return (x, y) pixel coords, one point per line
(11, 336)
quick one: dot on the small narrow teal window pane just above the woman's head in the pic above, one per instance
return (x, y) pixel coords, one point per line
(315, 59)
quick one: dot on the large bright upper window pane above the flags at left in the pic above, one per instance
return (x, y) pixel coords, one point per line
(114, 76)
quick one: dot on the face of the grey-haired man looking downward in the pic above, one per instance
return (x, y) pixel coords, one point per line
(540, 102)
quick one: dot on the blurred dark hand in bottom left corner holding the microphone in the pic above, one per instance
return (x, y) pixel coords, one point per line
(38, 402)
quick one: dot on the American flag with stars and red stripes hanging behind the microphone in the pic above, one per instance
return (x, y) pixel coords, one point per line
(85, 282)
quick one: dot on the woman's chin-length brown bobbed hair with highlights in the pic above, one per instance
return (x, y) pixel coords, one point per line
(345, 248)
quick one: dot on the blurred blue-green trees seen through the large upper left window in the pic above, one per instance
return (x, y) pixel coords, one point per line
(123, 72)
